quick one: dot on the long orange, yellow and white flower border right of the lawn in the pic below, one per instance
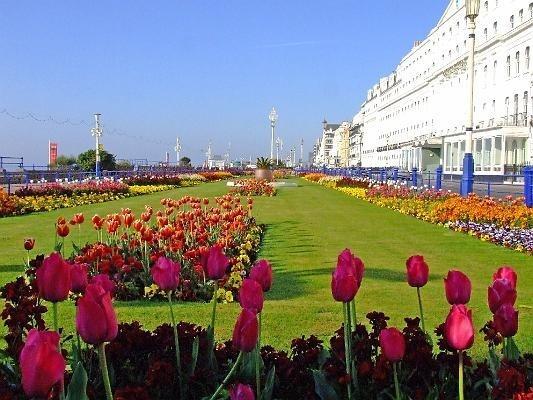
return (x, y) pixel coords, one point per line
(506, 222)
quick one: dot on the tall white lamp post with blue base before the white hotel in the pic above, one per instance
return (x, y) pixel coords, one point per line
(467, 182)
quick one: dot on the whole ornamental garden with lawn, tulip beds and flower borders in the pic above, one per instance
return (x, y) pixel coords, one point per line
(182, 287)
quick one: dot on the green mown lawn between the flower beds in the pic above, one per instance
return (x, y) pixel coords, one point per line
(306, 229)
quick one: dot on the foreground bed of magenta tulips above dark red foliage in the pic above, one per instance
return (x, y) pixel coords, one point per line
(181, 360)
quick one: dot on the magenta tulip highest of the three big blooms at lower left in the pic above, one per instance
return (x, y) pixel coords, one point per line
(53, 278)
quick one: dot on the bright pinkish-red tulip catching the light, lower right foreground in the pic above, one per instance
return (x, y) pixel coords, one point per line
(459, 329)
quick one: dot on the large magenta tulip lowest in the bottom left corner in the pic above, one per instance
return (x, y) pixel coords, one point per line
(41, 363)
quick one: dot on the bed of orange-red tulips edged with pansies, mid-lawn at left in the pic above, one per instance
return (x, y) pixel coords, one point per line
(183, 229)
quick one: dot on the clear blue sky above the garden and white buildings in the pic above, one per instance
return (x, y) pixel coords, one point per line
(200, 69)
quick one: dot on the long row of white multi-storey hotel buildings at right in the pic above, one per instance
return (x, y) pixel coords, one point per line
(415, 117)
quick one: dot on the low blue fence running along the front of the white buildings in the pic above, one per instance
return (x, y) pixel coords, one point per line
(438, 180)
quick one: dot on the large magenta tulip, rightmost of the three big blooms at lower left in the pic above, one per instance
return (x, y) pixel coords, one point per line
(96, 321)
